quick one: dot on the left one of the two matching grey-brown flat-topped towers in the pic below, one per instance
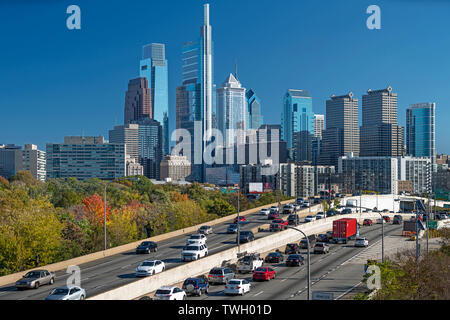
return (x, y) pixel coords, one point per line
(342, 133)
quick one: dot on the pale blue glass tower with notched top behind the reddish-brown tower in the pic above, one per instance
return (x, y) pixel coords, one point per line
(153, 67)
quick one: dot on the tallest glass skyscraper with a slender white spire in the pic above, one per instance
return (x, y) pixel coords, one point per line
(195, 100)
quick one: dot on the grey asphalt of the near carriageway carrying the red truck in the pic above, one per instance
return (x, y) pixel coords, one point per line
(329, 272)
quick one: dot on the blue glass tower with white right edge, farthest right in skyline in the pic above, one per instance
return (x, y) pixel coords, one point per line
(420, 130)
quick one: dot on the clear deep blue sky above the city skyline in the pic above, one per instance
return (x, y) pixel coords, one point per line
(56, 82)
